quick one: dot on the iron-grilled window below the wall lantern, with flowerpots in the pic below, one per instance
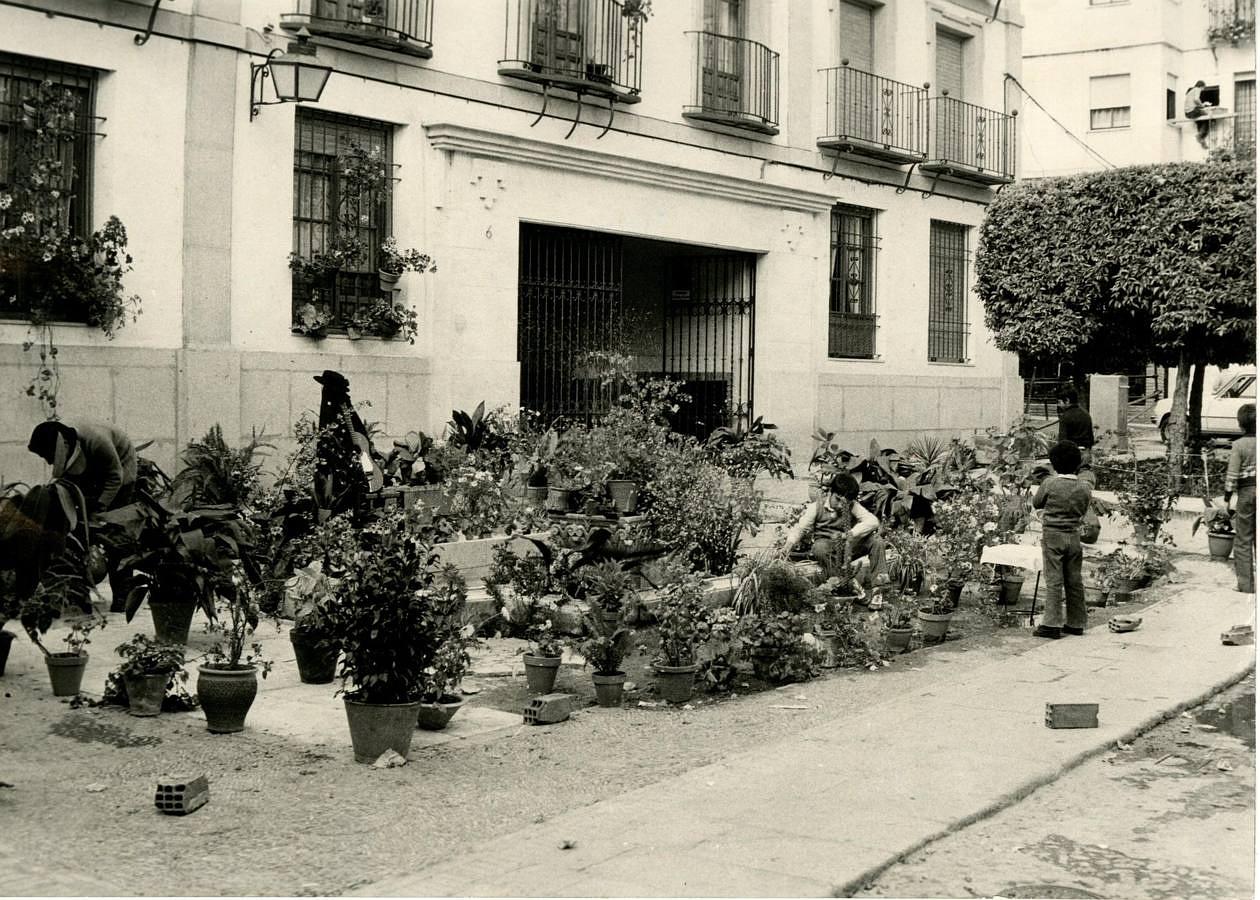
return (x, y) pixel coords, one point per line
(327, 216)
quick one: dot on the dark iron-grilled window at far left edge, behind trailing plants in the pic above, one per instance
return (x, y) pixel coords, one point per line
(26, 86)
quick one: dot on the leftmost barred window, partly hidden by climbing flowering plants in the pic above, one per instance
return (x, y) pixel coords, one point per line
(40, 100)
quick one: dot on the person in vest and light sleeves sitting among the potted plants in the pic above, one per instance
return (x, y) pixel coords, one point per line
(822, 526)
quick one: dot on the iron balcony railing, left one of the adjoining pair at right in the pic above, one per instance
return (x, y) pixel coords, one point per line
(869, 115)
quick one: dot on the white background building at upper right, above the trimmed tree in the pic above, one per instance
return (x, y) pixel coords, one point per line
(1117, 72)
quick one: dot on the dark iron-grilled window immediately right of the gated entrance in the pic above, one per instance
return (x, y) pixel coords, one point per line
(852, 318)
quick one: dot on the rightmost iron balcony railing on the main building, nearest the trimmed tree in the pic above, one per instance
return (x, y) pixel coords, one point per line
(970, 142)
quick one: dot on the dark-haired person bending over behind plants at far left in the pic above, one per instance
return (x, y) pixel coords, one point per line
(101, 462)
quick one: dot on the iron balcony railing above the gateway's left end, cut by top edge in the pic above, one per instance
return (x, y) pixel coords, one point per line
(585, 46)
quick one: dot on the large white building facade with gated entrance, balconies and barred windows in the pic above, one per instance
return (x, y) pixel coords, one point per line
(781, 215)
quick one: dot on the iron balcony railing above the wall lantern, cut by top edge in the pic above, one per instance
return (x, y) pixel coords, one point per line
(403, 26)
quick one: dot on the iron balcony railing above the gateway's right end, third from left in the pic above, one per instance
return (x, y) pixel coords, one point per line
(734, 83)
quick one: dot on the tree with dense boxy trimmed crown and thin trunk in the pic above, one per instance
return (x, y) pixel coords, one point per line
(1128, 267)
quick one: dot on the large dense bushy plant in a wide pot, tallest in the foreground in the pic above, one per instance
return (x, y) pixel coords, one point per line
(387, 614)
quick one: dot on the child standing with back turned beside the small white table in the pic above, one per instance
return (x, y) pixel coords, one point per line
(1065, 499)
